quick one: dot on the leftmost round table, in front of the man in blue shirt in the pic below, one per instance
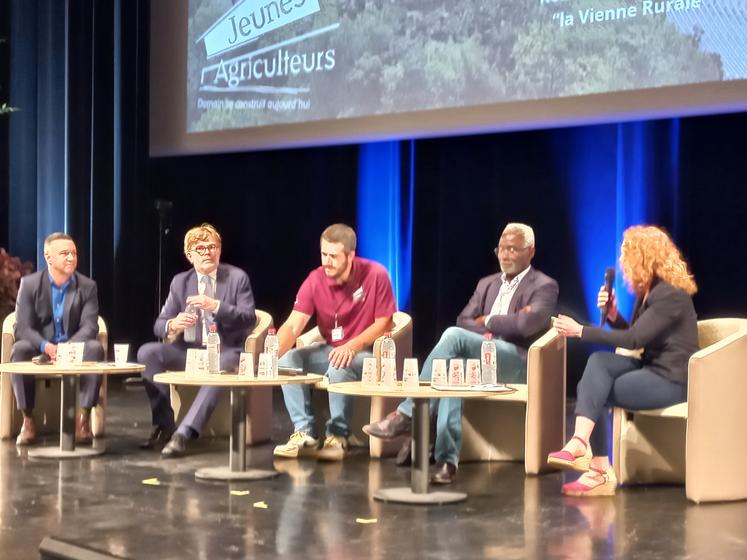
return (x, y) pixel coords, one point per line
(68, 394)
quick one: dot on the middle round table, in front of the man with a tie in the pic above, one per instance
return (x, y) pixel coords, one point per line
(236, 469)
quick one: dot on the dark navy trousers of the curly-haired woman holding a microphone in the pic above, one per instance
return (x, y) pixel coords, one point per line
(613, 380)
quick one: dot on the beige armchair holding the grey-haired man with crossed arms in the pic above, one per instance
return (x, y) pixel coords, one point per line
(528, 424)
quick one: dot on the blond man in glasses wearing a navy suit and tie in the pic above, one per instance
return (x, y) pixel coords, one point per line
(219, 294)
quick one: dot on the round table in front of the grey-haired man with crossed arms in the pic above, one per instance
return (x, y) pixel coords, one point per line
(418, 492)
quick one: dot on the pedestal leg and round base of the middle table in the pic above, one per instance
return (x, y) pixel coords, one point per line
(236, 469)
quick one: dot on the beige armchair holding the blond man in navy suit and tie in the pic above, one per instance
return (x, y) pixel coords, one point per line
(258, 399)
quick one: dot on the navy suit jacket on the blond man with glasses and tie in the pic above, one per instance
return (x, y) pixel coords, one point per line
(236, 313)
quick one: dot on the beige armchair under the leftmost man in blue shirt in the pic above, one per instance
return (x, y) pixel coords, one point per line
(47, 409)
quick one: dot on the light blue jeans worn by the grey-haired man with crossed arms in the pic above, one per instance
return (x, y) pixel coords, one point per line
(460, 343)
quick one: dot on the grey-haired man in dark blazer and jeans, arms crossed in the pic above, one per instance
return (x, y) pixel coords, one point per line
(515, 305)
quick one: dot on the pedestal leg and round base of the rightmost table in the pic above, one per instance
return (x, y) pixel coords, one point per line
(418, 491)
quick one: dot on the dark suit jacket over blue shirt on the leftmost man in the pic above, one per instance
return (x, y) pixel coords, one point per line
(34, 317)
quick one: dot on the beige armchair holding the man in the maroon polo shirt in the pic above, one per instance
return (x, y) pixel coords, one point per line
(379, 407)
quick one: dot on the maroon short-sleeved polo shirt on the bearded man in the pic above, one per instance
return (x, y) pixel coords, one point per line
(366, 296)
